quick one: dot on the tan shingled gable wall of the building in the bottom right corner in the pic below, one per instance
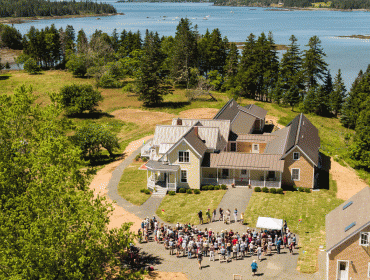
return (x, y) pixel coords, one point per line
(350, 251)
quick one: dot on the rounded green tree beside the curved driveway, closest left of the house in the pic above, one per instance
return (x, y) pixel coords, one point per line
(92, 137)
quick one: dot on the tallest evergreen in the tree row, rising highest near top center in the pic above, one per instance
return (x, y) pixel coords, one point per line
(184, 53)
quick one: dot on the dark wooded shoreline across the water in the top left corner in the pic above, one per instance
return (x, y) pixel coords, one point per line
(32, 8)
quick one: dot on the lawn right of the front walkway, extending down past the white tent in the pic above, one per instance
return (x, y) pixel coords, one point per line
(312, 207)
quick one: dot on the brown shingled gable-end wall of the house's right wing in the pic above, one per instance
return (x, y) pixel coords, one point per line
(306, 172)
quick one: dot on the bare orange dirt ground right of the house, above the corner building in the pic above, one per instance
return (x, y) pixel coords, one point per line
(348, 182)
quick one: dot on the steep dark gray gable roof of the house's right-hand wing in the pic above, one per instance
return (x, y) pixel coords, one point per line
(304, 135)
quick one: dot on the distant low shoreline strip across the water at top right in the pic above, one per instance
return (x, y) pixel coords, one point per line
(334, 4)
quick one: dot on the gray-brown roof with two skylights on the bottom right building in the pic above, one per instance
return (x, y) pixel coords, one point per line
(338, 219)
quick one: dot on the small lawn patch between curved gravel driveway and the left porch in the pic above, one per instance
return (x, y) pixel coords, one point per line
(132, 181)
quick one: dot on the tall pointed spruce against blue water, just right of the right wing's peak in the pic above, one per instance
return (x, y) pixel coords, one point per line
(314, 66)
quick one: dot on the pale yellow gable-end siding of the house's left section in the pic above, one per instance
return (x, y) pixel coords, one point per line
(193, 167)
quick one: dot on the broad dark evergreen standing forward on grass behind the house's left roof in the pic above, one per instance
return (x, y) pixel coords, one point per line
(149, 80)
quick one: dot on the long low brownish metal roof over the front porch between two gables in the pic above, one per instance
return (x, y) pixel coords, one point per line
(244, 161)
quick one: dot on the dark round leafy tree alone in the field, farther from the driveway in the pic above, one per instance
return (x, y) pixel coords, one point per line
(76, 99)
